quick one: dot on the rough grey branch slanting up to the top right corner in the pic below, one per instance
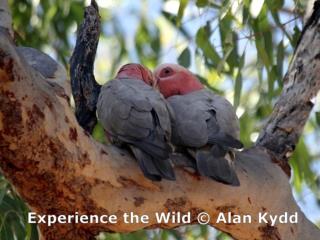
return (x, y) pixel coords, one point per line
(301, 84)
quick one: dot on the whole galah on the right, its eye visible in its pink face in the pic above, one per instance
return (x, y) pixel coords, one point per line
(205, 124)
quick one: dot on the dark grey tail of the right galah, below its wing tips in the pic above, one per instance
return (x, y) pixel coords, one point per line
(216, 167)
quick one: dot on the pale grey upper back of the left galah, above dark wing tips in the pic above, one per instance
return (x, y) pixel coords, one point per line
(125, 108)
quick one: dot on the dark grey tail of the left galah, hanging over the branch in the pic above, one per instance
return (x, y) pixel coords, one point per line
(154, 169)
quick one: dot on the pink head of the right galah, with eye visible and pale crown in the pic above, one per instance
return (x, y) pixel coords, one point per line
(173, 79)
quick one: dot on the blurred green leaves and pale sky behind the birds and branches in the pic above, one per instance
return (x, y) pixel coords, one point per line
(238, 48)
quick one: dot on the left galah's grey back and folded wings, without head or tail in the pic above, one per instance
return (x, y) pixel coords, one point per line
(134, 113)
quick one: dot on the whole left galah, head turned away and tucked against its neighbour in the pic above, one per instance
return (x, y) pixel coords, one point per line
(135, 115)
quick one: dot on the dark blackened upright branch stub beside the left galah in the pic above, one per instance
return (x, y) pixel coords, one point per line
(84, 86)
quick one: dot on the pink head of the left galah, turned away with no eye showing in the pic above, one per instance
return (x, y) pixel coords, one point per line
(136, 71)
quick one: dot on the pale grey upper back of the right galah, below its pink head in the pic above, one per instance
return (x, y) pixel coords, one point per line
(193, 110)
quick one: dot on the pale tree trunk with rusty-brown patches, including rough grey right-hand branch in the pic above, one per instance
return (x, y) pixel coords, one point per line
(57, 168)
